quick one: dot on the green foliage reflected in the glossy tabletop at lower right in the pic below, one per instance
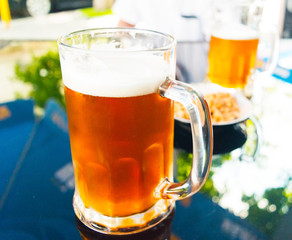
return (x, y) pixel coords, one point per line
(265, 211)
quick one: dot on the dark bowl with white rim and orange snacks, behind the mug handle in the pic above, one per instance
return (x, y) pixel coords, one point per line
(229, 110)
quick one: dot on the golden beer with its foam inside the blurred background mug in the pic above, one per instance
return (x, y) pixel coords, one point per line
(232, 57)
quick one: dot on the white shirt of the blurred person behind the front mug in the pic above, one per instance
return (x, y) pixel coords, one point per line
(186, 20)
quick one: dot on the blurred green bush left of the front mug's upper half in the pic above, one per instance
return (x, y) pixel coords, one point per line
(43, 74)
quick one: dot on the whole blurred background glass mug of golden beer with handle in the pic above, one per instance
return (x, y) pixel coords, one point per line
(239, 37)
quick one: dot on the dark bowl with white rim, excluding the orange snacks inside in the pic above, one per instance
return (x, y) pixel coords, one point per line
(228, 136)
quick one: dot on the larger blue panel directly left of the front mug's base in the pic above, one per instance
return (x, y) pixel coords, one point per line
(38, 203)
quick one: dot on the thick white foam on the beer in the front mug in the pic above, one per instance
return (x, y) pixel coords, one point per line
(120, 75)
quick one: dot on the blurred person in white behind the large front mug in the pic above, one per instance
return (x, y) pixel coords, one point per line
(188, 21)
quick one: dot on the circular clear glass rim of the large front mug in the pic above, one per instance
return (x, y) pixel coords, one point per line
(61, 40)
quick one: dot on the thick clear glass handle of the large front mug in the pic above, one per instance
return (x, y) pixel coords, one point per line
(202, 135)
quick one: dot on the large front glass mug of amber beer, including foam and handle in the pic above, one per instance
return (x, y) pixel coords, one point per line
(119, 93)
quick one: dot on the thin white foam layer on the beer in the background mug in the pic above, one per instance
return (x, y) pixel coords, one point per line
(236, 32)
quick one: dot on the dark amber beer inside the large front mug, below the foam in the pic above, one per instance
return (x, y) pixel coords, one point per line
(121, 149)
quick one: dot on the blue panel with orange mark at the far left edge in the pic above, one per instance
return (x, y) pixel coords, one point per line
(16, 125)
